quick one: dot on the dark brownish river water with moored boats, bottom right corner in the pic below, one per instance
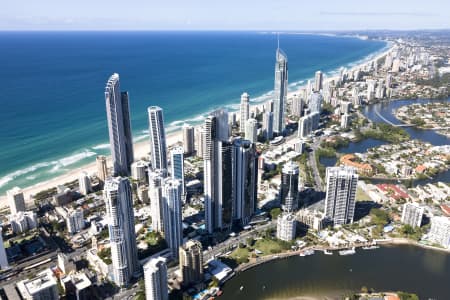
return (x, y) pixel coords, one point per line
(400, 268)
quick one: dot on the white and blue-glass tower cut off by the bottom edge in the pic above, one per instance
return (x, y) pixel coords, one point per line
(155, 278)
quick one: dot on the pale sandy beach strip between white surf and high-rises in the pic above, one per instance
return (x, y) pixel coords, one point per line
(141, 149)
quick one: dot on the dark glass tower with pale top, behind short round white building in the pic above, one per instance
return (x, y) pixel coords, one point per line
(289, 187)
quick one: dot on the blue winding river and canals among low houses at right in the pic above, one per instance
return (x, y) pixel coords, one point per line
(386, 109)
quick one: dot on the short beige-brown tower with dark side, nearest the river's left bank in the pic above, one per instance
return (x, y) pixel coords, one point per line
(191, 262)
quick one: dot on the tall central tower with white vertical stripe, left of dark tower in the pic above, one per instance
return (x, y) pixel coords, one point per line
(217, 164)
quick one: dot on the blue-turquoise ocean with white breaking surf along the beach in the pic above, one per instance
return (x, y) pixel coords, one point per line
(52, 110)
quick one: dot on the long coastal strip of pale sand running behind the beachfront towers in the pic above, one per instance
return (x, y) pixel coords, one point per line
(175, 136)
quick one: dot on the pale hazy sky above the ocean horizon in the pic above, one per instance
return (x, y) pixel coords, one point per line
(223, 15)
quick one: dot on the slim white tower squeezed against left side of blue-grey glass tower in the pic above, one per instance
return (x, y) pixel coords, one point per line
(155, 181)
